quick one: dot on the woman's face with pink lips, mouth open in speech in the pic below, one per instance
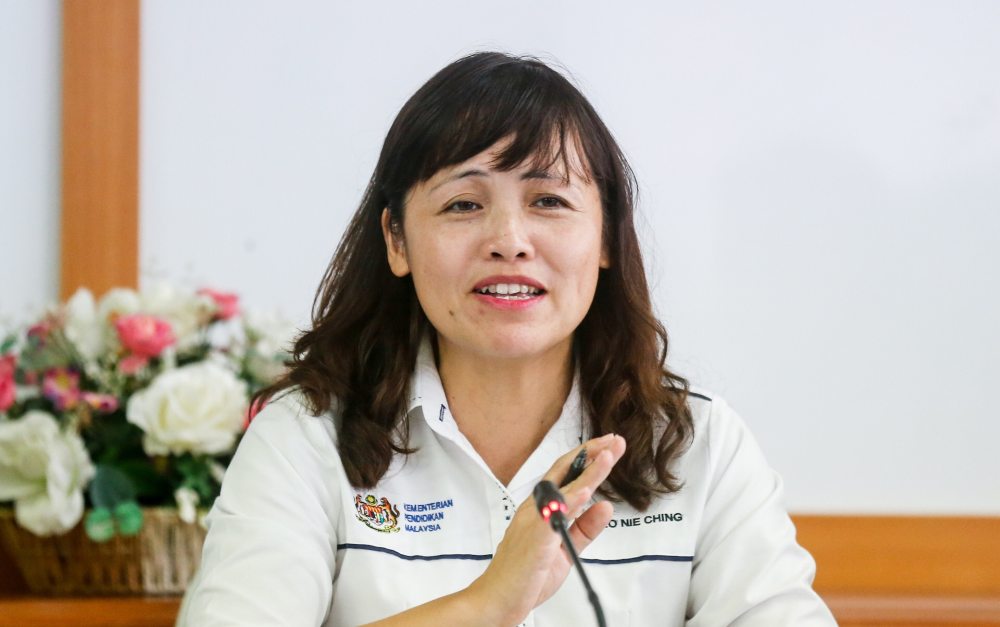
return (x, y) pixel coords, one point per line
(505, 264)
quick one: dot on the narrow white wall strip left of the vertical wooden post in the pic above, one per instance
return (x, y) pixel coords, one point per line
(29, 157)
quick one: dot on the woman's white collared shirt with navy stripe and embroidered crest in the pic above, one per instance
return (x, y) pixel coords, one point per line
(291, 542)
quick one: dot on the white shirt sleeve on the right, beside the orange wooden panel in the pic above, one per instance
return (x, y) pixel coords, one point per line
(748, 569)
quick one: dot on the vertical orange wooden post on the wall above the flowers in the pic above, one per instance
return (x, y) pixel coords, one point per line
(100, 145)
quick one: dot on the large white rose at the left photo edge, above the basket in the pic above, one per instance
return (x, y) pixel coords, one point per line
(43, 470)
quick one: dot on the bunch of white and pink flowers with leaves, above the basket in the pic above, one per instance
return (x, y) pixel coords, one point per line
(138, 399)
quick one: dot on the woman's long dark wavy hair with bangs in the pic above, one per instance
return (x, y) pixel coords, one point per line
(367, 323)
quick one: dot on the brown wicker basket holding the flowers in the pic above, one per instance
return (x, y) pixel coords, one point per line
(162, 559)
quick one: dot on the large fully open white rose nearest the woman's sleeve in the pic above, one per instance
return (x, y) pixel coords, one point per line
(197, 408)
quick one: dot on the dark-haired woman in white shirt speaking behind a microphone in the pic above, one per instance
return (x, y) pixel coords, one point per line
(485, 319)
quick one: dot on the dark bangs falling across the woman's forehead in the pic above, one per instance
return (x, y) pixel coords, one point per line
(536, 108)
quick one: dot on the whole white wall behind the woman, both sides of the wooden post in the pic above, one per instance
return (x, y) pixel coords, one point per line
(820, 186)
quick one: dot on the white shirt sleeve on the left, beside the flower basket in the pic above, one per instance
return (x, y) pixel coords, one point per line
(269, 553)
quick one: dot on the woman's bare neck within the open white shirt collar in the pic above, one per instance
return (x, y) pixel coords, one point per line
(518, 398)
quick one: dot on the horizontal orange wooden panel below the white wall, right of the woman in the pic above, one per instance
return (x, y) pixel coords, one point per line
(904, 554)
